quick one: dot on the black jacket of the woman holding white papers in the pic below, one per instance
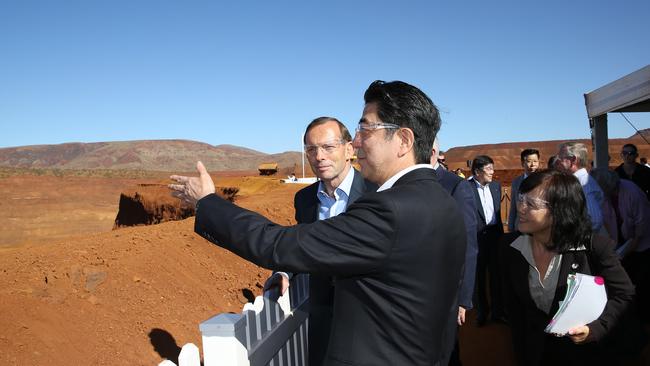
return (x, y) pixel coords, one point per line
(528, 322)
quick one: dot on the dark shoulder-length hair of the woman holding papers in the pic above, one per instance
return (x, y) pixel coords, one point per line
(571, 225)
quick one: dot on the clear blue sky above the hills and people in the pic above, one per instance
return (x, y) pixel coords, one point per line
(254, 74)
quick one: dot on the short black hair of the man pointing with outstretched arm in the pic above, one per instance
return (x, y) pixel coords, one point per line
(406, 106)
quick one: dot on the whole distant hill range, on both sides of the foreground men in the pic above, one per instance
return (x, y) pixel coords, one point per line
(181, 155)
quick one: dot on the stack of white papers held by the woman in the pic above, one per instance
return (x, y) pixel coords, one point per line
(583, 303)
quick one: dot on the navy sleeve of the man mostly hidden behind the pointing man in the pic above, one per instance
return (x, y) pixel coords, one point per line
(465, 199)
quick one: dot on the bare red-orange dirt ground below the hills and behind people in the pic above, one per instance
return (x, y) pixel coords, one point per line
(73, 291)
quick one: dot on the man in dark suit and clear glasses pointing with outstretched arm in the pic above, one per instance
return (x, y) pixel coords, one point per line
(394, 252)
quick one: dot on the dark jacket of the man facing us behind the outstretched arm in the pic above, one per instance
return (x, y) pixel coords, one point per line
(321, 291)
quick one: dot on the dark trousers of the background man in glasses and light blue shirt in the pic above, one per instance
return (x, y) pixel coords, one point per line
(487, 272)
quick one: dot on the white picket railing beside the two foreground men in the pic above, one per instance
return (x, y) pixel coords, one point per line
(267, 332)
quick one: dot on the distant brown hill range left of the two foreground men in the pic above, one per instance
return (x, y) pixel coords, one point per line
(155, 155)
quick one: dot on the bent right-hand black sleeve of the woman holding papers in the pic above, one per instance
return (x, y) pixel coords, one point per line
(620, 291)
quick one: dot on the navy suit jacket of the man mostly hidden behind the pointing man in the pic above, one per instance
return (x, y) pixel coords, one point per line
(461, 191)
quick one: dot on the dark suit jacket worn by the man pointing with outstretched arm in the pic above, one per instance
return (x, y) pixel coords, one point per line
(396, 266)
